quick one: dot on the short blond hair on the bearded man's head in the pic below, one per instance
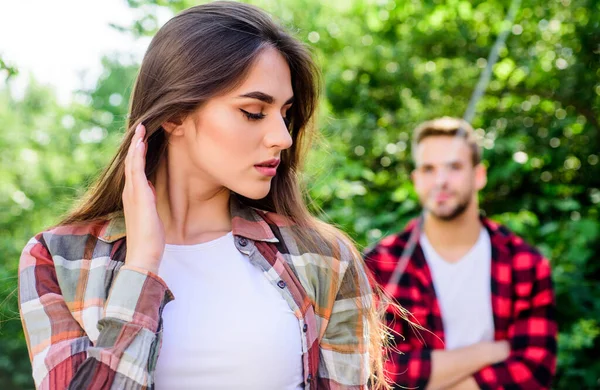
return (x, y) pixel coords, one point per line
(447, 127)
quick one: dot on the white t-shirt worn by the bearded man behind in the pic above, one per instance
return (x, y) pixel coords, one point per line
(463, 290)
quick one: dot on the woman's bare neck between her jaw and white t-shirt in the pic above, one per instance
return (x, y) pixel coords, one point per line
(191, 210)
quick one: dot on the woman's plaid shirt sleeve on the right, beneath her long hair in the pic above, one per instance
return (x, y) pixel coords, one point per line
(344, 348)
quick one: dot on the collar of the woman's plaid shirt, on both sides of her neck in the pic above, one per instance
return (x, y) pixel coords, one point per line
(245, 222)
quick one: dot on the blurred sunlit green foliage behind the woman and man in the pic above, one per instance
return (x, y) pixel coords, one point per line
(387, 66)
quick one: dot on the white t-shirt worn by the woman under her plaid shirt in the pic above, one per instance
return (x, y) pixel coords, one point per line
(228, 327)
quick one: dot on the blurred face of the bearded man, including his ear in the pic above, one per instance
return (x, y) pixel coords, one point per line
(445, 179)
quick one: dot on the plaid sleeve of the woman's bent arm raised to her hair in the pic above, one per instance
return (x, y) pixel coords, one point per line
(61, 353)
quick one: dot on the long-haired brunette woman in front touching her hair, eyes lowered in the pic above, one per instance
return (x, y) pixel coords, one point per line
(202, 202)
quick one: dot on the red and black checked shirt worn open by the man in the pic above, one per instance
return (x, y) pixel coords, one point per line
(522, 303)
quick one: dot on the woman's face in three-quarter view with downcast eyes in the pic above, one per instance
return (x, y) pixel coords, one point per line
(235, 140)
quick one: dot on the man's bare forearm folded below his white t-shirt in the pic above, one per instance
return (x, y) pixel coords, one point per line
(451, 367)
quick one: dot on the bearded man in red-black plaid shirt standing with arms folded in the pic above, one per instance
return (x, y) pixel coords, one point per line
(483, 296)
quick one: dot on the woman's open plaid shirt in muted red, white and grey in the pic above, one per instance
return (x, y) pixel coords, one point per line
(92, 322)
